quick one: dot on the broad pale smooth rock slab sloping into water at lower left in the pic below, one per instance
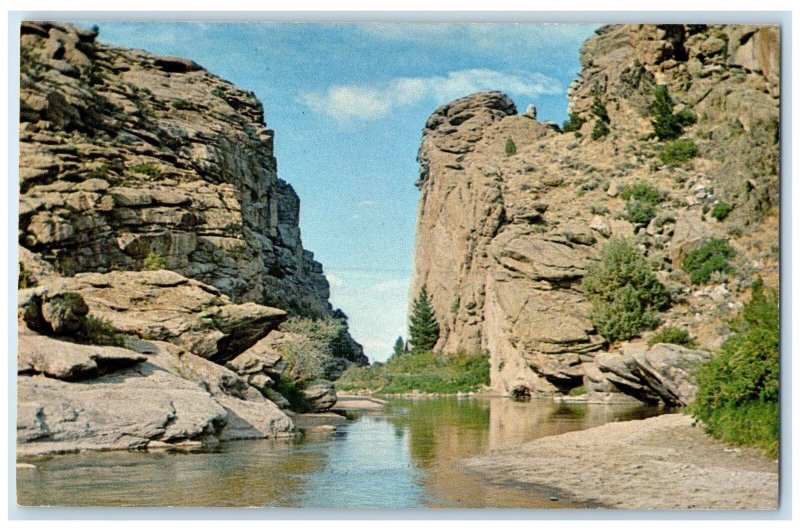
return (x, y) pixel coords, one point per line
(179, 397)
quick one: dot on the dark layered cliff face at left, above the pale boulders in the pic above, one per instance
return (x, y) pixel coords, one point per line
(125, 154)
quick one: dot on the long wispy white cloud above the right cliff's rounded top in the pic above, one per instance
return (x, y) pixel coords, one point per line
(349, 103)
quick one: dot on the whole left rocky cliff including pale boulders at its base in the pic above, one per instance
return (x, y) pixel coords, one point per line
(151, 218)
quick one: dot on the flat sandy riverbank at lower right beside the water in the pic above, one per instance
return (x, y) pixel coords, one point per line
(659, 463)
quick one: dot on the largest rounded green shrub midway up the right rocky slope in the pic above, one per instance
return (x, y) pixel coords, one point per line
(625, 295)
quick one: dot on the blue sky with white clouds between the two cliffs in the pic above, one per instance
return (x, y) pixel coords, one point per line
(348, 103)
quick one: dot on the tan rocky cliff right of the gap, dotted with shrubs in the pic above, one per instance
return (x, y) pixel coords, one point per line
(505, 238)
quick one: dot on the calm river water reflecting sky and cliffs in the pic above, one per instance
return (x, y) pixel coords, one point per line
(403, 457)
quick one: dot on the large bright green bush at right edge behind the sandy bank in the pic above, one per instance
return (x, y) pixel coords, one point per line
(737, 397)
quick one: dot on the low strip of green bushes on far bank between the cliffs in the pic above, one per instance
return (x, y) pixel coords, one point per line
(425, 371)
